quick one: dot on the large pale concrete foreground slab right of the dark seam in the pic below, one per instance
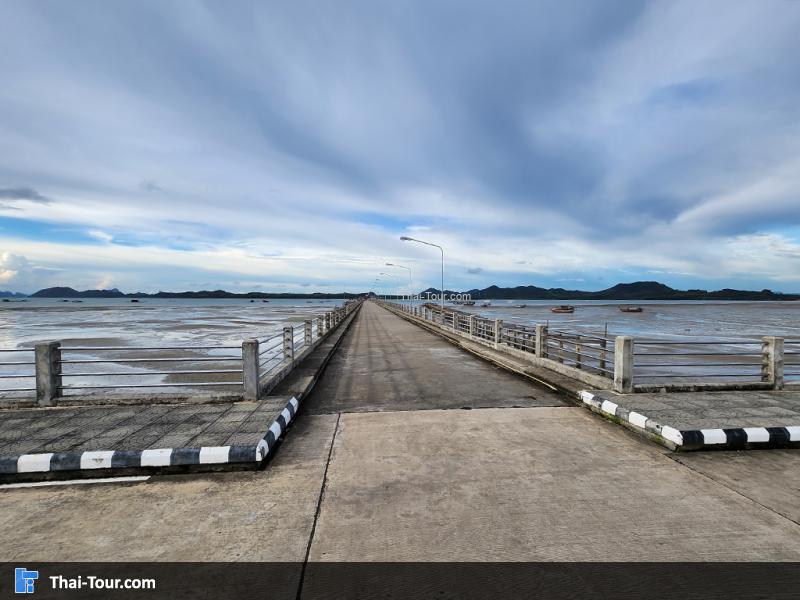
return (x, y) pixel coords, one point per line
(527, 484)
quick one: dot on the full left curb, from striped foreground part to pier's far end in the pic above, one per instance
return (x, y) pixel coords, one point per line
(155, 460)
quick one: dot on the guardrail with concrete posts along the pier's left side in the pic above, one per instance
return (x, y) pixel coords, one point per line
(51, 371)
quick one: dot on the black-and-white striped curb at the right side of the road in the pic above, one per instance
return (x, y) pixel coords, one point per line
(735, 438)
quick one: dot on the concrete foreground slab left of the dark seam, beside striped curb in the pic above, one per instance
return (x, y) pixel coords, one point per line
(246, 516)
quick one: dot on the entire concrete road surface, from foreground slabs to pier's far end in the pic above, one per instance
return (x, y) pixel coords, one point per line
(372, 473)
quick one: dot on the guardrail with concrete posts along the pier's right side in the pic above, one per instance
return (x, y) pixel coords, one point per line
(624, 364)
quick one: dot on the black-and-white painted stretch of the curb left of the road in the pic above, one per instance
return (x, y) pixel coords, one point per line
(156, 457)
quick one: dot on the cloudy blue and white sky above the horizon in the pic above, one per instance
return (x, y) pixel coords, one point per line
(287, 146)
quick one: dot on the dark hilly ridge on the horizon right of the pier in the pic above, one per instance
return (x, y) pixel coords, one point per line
(640, 290)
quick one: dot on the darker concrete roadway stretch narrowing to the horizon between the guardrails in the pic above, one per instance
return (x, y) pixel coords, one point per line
(386, 363)
